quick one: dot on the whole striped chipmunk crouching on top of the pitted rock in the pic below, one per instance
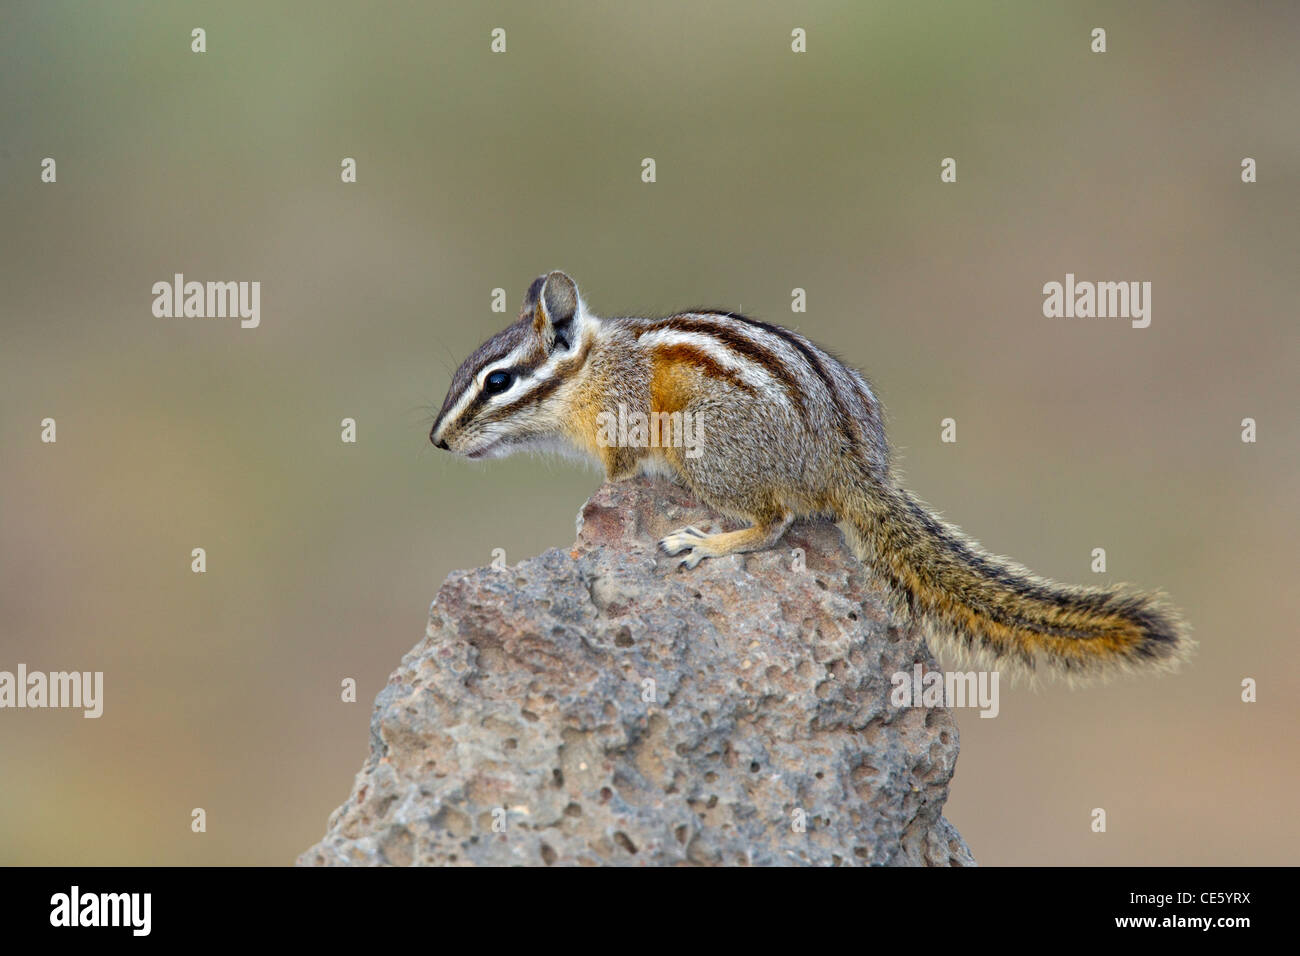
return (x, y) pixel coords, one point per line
(791, 432)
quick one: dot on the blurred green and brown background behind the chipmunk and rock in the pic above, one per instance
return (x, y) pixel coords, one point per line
(775, 171)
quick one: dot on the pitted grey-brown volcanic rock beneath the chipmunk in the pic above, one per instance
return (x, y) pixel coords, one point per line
(597, 706)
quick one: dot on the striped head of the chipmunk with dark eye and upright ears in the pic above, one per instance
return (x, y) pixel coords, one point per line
(504, 397)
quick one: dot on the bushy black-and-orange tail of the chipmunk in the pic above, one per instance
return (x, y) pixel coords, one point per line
(998, 612)
